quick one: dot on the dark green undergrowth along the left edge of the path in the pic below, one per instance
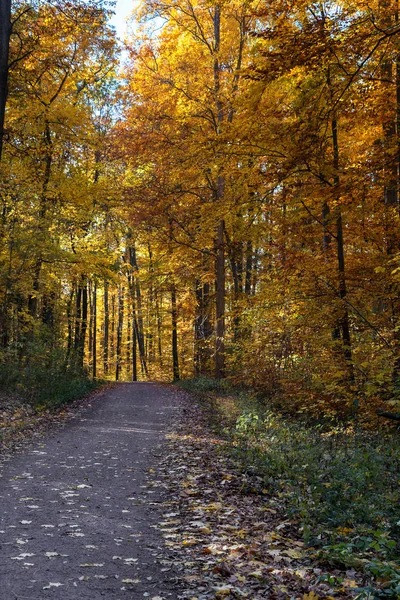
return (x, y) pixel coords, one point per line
(45, 384)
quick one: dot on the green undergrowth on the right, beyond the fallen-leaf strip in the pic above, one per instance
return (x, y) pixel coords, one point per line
(339, 485)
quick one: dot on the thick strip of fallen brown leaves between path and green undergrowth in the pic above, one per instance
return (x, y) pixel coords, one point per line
(227, 537)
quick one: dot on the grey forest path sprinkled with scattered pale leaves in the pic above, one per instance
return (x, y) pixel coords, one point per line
(78, 508)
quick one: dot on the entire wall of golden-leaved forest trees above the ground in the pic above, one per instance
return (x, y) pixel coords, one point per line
(225, 204)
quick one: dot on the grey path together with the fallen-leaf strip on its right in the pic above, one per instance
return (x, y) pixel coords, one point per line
(133, 495)
